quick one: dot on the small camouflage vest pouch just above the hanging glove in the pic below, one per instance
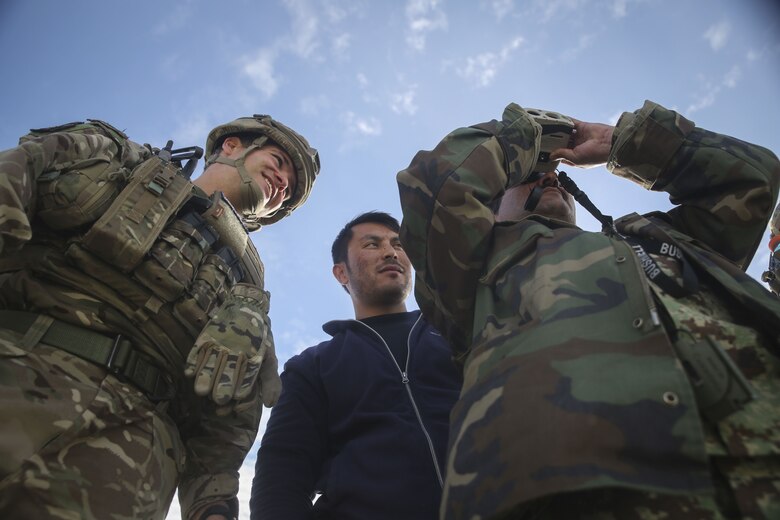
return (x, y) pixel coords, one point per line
(216, 275)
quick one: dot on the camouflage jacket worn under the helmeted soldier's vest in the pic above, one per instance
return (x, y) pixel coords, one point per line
(52, 187)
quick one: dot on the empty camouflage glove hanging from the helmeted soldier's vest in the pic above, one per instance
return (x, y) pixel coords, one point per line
(234, 348)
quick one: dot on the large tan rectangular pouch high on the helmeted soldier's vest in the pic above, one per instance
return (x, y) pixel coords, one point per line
(127, 230)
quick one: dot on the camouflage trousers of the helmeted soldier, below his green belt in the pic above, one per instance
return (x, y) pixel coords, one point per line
(76, 443)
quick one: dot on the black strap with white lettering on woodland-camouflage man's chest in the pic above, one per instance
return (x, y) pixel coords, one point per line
(645, 247)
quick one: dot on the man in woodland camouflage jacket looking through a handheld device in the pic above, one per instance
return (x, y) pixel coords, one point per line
(629, 374)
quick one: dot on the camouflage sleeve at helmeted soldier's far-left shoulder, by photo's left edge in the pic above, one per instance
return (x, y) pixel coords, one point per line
(21, 167)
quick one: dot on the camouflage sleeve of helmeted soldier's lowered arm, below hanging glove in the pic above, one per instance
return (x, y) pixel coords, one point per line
(215, 449)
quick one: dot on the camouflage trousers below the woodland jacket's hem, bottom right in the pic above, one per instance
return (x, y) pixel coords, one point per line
(745, 489)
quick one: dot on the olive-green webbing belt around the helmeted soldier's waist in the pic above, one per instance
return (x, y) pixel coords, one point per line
(115, 354)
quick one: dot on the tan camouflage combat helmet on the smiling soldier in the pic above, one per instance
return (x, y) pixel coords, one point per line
(305, 159)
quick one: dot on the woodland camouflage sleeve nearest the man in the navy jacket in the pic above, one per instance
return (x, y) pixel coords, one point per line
(446, 196)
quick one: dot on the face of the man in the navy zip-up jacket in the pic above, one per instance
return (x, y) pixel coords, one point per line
(377, 272)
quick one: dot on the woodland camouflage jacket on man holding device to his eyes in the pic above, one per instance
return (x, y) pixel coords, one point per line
(566, 364)
